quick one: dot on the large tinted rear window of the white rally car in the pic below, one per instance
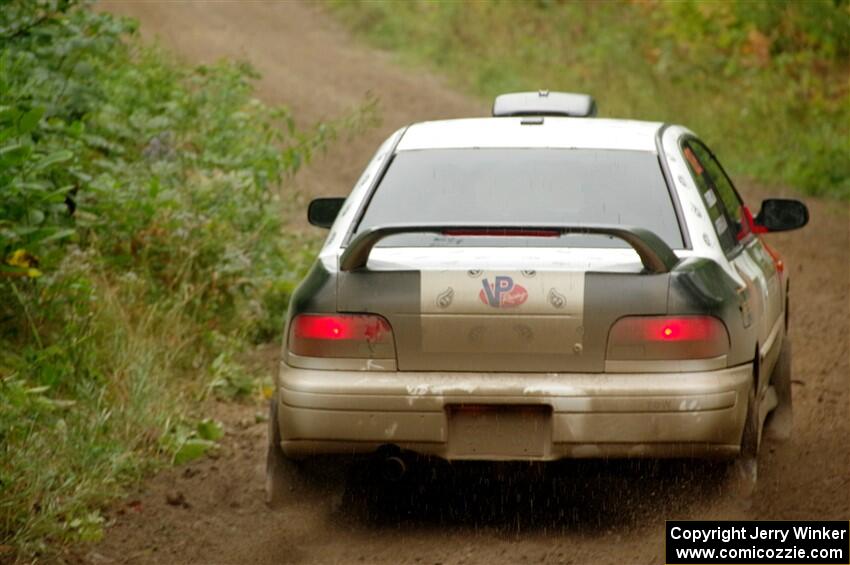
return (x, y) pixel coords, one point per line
(522, 186)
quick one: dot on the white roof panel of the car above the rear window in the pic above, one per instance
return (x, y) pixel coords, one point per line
(531, 132)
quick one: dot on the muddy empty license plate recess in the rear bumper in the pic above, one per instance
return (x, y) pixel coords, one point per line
(499, 432)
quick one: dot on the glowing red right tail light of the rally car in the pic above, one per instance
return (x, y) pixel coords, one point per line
(637, 338)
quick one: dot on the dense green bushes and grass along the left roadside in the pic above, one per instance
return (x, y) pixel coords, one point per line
(141, 249)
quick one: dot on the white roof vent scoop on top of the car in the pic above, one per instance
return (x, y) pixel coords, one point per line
(544, 103)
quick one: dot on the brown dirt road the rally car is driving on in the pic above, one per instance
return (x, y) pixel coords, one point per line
(588, 512)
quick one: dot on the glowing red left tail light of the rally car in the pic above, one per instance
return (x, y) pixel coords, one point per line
(363, 336)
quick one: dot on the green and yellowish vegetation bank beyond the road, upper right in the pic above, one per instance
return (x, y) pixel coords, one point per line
(765, 82)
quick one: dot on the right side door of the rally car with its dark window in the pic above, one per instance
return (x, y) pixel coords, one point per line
(762, 301)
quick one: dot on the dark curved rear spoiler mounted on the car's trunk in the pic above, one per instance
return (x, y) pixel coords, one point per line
(655, 254)
